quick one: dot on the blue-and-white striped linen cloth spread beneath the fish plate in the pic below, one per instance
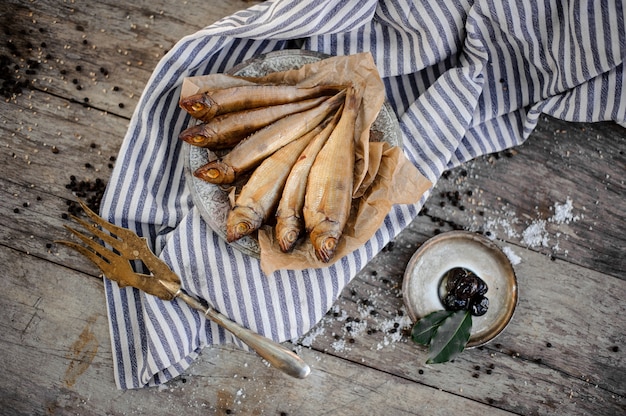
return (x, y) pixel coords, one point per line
(464, 78)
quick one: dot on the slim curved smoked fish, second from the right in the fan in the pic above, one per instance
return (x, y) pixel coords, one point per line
(289, 219)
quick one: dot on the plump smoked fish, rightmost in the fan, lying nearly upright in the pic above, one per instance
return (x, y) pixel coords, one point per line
(328, 197)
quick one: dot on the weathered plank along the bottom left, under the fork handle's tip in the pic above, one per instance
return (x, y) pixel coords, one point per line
(57, 360)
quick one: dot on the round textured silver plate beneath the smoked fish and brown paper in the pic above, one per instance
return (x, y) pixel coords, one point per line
(212, 200)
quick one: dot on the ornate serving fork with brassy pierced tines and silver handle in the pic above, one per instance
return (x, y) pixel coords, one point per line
(165, 284)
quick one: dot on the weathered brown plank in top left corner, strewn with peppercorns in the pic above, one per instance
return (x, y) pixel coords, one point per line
(100, 53)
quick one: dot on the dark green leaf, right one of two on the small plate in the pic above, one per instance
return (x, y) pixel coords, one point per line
(450, 337)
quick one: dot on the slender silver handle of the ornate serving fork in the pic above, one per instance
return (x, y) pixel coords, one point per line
(274, 353)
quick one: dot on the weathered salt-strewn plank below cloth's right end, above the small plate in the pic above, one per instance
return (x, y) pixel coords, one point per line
(560, 193)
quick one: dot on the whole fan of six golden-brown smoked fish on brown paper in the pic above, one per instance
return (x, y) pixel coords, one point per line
(295, 145)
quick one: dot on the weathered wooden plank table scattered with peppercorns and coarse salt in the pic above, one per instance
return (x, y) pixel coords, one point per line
(77, 70)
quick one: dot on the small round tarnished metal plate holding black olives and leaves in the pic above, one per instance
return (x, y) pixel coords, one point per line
(426, 269)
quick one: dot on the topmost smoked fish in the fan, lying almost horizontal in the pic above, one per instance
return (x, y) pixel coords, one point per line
(206, 105)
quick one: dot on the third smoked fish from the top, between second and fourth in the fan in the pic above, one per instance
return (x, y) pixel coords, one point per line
(262, 143)
